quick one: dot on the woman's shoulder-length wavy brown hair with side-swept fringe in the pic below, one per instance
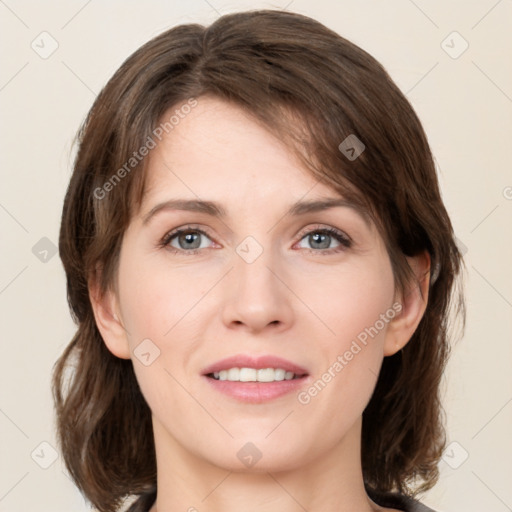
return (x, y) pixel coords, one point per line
(313, 89)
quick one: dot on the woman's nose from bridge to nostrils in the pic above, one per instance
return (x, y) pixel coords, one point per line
(257, 294)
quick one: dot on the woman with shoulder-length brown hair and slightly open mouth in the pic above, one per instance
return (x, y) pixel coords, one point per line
(260, 266)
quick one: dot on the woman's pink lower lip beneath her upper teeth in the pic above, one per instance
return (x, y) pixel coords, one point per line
(256, 392)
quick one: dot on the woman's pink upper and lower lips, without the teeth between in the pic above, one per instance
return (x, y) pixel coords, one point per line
(256, 392)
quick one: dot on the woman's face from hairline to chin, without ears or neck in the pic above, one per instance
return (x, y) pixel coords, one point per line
(258, 282)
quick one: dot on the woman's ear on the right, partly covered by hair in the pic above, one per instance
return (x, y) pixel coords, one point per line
(413, 304)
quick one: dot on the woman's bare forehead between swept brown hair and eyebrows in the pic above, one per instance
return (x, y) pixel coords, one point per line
(219, 150)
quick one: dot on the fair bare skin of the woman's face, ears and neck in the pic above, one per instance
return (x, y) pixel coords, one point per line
(296, 301)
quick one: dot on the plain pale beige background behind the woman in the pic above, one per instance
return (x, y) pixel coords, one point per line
(465, 104)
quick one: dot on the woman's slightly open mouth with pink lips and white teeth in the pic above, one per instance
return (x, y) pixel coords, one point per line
(255, 379)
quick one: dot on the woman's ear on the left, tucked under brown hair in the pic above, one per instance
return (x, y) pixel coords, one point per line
(108, 319)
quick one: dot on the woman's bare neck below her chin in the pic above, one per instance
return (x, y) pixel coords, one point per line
(332, 481)
